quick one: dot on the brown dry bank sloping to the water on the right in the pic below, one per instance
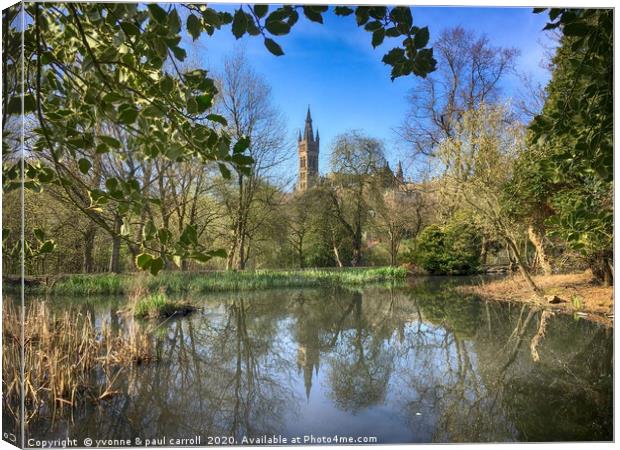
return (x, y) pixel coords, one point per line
(579, 292)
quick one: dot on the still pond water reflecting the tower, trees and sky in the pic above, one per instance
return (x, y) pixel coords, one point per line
(410, 364)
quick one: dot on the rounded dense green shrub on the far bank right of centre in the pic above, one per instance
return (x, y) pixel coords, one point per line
(452, 249)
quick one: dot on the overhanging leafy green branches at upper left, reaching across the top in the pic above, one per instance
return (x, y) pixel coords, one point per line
(105, 80)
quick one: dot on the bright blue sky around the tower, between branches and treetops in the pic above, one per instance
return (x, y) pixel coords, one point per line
(334, 69)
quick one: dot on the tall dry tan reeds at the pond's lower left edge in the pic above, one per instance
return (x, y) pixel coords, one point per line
(61, 353)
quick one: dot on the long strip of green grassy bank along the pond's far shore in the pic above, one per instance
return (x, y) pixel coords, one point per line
(193, 282)
